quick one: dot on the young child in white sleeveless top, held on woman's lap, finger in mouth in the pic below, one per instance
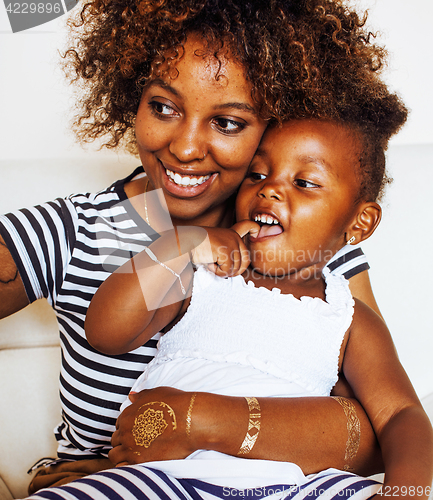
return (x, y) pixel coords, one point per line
(311, 189)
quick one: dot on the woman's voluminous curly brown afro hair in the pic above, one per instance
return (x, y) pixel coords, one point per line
(303, 58)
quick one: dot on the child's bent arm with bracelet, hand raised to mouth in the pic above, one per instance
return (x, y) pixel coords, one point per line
(147, 293)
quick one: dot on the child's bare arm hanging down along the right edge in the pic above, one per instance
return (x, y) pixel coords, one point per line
(381, 385)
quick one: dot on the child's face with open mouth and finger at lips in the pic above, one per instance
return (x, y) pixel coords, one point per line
(302, 182)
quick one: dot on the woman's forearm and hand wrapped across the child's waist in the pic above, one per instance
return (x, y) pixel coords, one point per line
(311, 432)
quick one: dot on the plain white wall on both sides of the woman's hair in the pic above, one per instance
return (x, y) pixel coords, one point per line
(34, 101)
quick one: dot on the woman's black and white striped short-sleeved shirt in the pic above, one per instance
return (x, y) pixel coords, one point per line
(64, 250)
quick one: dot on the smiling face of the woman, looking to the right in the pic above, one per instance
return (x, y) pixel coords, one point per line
(197, 134)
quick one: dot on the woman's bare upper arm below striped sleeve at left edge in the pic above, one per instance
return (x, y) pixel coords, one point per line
(13, 296)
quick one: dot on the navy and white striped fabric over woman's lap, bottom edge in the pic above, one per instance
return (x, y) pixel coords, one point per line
(139, 482)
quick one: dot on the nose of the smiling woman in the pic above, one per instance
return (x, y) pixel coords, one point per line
(188, 142)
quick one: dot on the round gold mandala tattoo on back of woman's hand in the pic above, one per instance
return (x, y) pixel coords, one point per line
(151, 423)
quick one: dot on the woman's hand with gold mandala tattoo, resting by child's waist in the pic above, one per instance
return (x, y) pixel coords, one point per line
(145, 430)
